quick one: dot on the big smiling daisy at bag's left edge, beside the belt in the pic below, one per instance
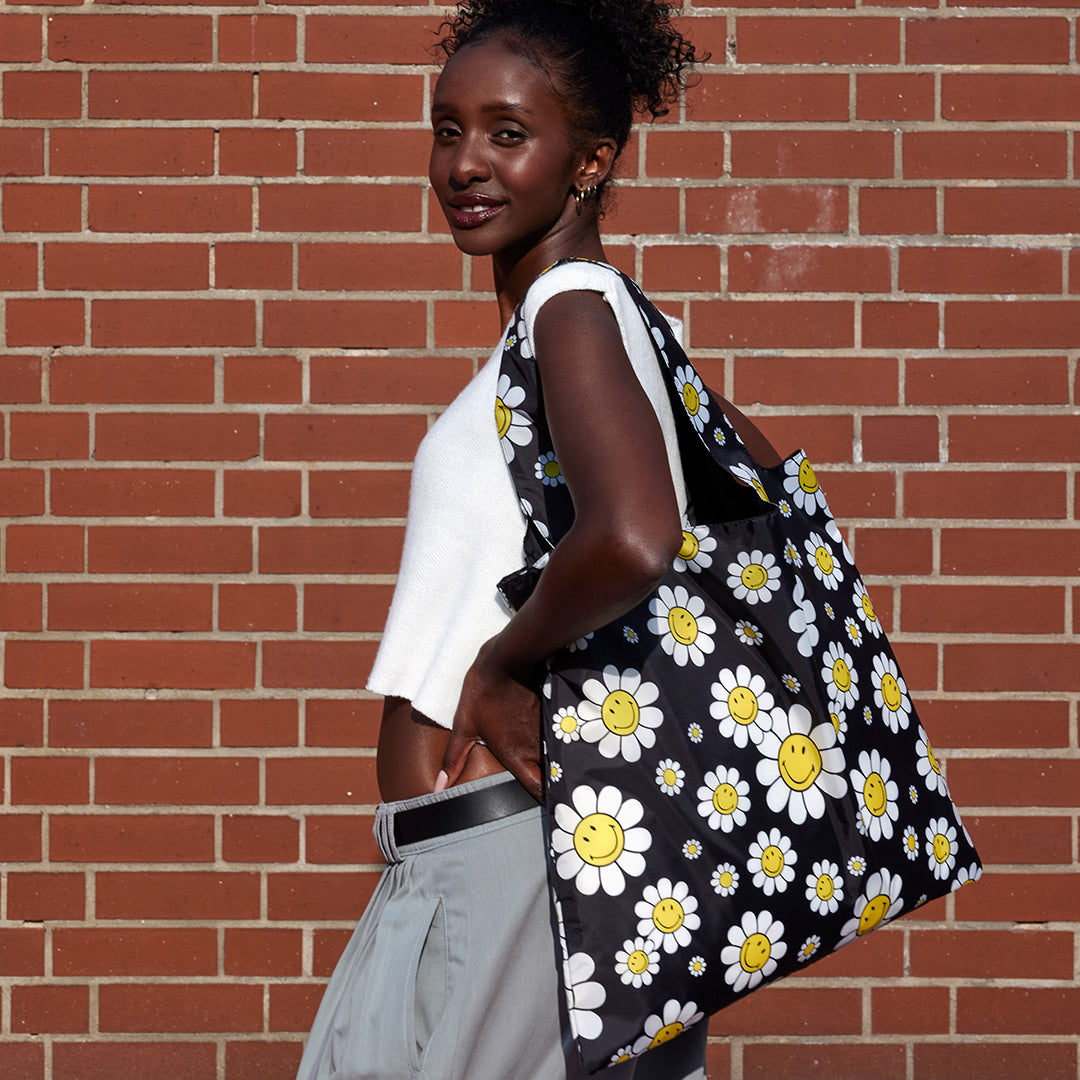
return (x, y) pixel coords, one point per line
(598, 840)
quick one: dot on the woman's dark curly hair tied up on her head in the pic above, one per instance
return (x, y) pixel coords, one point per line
(607, 60)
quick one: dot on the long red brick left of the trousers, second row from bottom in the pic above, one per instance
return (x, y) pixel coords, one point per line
(177, 1008)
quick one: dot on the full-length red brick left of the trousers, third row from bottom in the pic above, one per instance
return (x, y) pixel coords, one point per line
(130, 952)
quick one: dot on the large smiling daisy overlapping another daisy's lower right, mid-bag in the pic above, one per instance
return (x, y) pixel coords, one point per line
(801, 765)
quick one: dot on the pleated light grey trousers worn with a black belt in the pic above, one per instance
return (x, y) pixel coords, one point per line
(452, 973)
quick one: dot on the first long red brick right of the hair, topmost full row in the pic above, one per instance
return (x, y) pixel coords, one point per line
(811, 39)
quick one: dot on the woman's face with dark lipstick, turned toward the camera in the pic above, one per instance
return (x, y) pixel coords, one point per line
(503, 164)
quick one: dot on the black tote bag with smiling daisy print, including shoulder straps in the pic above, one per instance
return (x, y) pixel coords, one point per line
(737, 780)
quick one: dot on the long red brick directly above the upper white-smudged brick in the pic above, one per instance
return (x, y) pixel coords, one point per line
(813, 154)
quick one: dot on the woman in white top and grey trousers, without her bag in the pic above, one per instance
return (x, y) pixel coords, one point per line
(452, 973)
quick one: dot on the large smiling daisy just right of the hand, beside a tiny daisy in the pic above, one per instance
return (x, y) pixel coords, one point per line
(619, 714)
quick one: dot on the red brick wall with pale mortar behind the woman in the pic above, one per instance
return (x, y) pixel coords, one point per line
(232, 310)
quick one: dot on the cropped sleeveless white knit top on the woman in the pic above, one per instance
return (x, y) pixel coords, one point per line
(465, 526)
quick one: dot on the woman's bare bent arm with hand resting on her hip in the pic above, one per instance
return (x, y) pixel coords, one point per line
(626, 532)
